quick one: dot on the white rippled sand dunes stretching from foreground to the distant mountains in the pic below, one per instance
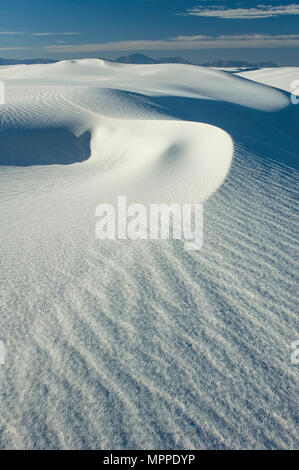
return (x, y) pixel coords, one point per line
(128, 345)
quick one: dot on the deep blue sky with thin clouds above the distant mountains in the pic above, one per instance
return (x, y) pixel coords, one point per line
(197, 30)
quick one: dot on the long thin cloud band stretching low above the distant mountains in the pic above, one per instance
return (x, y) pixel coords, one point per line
(186, 42)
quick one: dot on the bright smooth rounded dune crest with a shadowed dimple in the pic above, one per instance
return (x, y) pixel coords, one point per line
(162, 160)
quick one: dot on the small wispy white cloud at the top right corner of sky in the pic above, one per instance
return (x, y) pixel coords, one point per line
(261, 11)
